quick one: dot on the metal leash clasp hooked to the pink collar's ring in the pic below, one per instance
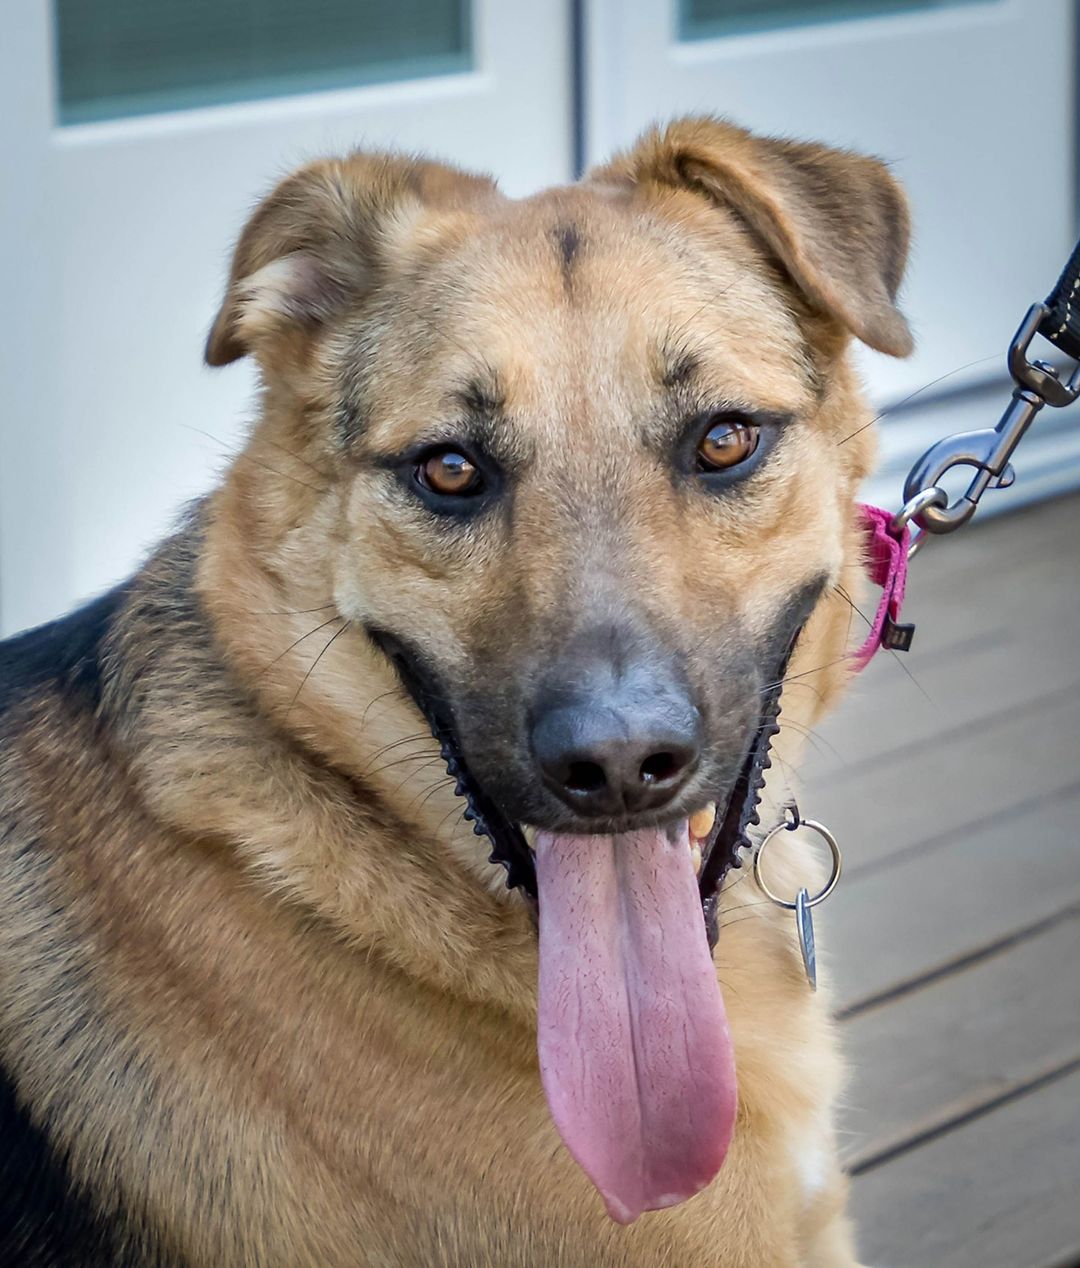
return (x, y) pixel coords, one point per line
(988, 451)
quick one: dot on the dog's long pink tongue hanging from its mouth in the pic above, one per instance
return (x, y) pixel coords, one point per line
(636, 1056)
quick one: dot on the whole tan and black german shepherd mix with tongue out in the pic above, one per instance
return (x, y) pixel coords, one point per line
(561, 480)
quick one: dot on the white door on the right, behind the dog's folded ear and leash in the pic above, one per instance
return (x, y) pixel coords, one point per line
(973, 103)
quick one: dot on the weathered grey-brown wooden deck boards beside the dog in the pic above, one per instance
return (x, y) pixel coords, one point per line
(954, 940)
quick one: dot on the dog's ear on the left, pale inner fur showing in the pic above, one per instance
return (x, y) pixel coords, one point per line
(320, 243)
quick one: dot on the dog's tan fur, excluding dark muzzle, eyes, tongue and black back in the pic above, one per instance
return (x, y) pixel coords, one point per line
(306, 1002)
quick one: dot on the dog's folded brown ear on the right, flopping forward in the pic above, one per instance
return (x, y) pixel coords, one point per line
(836, 221)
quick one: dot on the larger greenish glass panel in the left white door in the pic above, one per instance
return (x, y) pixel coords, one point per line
(120, 58)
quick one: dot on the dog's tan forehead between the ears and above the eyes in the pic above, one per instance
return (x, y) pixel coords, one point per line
(584, 300)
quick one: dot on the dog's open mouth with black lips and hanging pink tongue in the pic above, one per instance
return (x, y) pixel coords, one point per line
(636, 1054)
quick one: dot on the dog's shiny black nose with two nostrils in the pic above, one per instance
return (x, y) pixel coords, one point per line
(624, 739)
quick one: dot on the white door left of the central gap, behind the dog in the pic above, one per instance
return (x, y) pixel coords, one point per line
(136, 136)
